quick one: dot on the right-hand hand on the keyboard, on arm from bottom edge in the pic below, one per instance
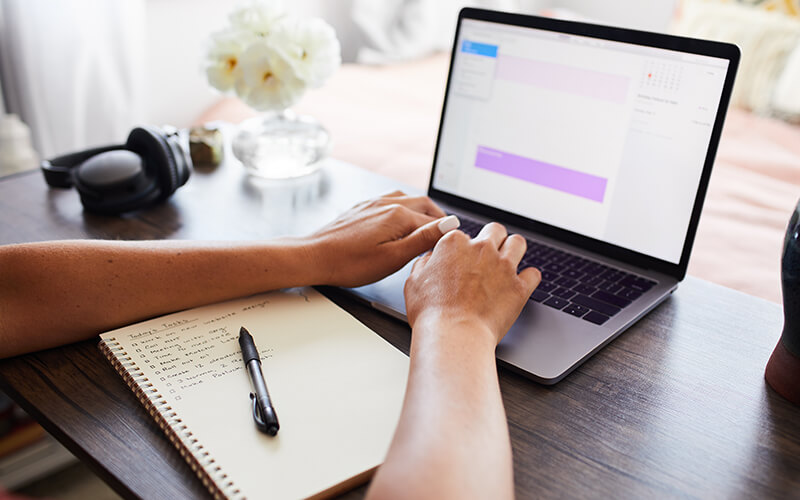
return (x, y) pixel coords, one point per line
(471, 281)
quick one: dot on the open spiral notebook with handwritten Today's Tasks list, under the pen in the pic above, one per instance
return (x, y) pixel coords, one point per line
(337, 388)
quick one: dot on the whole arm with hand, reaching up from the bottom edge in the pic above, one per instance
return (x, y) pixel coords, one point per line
(452, 439)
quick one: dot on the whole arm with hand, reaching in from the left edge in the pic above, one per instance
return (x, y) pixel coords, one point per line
(53, 293)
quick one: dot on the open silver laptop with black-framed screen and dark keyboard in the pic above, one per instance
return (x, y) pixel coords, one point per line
(594, 143)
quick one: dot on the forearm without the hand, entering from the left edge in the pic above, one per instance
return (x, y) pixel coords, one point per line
(60, 292)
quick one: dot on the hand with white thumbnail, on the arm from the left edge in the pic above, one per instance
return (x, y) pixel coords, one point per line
(376, 238)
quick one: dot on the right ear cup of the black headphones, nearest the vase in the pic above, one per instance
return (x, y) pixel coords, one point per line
(160, 160)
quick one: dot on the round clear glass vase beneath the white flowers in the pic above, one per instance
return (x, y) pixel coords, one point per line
(281, 145)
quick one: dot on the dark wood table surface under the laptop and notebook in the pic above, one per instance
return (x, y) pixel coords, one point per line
(676, 406)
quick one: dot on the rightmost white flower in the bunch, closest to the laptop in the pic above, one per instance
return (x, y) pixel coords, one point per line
(311, 47)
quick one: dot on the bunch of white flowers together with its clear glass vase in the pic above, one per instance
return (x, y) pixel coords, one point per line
(269, 58)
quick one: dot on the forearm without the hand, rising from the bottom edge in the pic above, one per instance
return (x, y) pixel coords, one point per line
(452, 440)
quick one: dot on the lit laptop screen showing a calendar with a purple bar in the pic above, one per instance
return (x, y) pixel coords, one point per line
(602, 138)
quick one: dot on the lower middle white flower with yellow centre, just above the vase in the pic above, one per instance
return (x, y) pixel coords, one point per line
(269, 79)
